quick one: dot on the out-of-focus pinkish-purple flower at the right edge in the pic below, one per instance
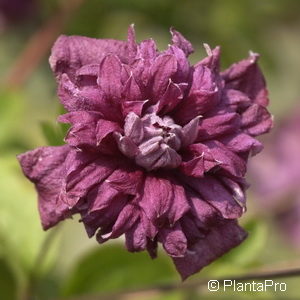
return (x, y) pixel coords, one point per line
(276, 176)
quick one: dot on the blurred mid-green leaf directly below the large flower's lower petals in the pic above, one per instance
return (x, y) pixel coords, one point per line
(113, 268)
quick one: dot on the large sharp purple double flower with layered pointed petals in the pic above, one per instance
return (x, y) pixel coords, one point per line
(157, 148)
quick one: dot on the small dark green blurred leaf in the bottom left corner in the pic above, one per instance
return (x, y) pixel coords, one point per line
(8, 283)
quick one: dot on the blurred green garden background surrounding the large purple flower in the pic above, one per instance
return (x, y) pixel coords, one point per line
(71, 265)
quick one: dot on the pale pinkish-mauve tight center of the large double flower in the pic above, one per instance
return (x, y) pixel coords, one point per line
(153, 141)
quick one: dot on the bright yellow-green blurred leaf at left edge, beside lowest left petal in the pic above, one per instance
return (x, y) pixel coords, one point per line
(21, 234)
